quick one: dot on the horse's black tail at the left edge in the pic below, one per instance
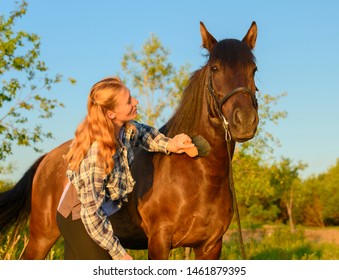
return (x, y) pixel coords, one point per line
(15, 204)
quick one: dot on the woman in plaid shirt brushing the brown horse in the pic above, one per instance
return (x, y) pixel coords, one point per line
(99, 173)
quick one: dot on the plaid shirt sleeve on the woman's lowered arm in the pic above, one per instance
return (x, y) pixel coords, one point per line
(91, 195)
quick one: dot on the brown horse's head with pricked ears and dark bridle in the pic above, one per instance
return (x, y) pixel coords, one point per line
(231, 68)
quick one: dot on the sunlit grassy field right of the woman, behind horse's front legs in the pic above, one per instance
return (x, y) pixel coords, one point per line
(273, 243)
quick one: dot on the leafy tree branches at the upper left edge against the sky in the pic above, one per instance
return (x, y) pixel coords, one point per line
(24, 83)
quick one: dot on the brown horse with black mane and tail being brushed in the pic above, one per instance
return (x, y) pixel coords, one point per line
(178, 201)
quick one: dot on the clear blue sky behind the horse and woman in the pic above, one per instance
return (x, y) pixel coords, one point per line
(296, 51)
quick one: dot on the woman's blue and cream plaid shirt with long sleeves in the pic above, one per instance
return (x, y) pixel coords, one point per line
(93, 186)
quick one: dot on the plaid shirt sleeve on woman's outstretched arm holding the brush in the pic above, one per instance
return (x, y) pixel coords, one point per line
(150, 138)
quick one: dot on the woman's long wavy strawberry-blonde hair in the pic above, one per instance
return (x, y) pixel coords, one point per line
(97, 126)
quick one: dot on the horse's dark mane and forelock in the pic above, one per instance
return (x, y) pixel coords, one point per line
(228, 52)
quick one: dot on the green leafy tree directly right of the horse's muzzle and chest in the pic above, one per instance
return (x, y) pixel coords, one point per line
(251, 165)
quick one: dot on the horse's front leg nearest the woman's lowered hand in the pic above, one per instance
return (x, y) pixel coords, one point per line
(159, 245)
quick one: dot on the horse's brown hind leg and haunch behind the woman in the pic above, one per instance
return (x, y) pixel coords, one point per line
(48, 185)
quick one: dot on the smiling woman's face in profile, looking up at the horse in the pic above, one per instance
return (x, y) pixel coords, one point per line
(126, 107)
